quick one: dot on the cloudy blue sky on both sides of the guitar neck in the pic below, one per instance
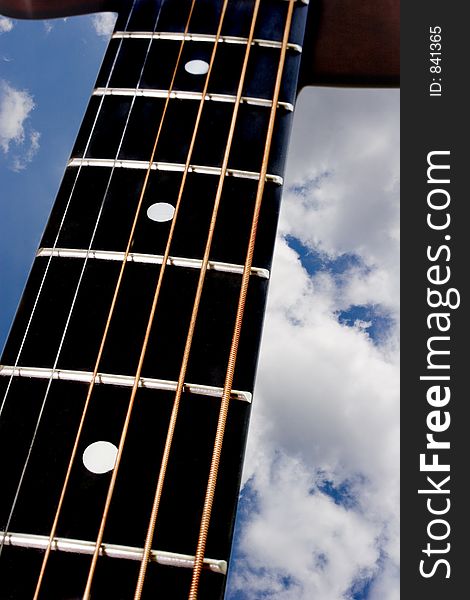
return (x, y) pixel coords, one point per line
(318, 516)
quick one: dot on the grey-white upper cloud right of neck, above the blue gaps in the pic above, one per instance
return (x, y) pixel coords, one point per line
(355, 206)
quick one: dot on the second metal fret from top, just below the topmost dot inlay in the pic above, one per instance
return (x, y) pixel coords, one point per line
(182, 95)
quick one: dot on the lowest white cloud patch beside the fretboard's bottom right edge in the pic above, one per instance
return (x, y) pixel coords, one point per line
(304, 538)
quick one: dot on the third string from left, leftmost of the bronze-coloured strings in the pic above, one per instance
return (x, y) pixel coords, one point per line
(123, 265)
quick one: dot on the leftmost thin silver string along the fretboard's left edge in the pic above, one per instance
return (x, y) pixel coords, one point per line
(64, 215)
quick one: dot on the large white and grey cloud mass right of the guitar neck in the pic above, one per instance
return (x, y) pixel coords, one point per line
(326, 402)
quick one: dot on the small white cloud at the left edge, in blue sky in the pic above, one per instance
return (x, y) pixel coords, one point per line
(15, 137)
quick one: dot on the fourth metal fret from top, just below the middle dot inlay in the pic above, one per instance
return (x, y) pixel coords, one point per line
(156, 259)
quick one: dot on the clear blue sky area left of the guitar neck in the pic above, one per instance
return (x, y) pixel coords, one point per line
(56, 69)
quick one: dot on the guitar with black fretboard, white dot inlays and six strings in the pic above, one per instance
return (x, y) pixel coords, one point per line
(99, 267)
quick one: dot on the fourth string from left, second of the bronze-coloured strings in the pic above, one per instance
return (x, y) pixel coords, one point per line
(152, 314)
